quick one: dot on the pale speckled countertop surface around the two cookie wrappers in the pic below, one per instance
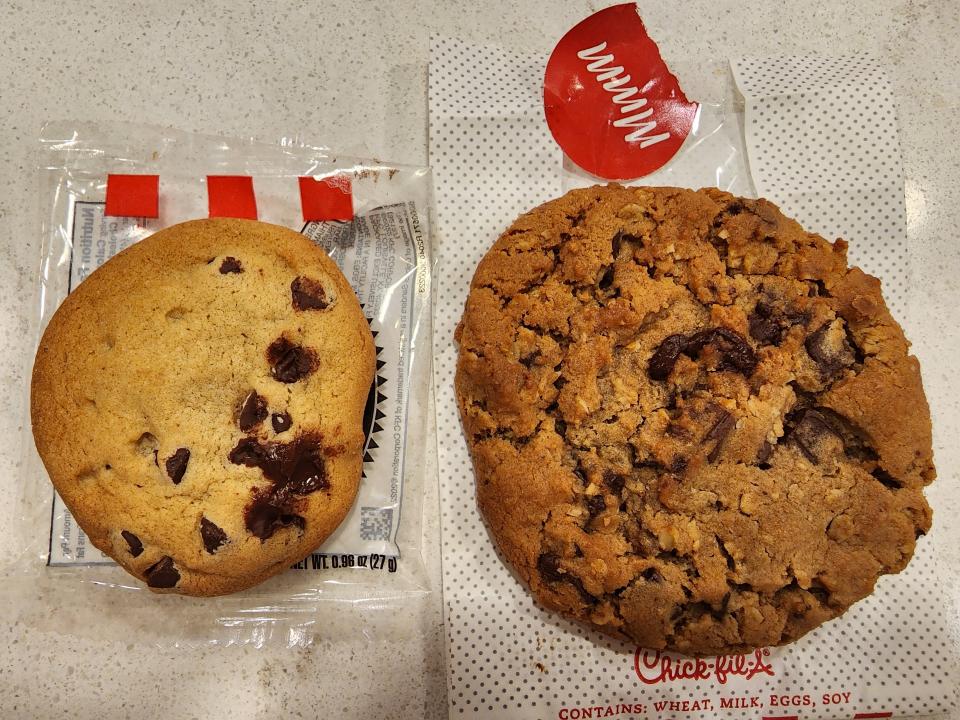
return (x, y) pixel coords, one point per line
(353, 76)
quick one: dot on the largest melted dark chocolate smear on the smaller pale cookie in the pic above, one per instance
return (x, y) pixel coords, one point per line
(295, 469)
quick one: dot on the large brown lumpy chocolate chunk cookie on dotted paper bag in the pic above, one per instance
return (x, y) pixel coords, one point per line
(692, 425)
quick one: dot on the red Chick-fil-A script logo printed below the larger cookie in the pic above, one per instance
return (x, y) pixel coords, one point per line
(654, 666)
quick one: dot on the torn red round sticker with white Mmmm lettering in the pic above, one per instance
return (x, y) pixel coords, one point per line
(611, 102)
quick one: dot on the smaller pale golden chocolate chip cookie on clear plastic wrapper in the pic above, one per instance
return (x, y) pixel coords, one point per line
(198, 400)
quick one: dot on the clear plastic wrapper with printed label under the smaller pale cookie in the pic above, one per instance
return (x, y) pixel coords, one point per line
(372, 563)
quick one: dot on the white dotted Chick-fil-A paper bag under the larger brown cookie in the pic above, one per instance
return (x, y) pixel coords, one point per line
(821, 142)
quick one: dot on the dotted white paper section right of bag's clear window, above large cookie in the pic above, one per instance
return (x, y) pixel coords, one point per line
(822, 140)
